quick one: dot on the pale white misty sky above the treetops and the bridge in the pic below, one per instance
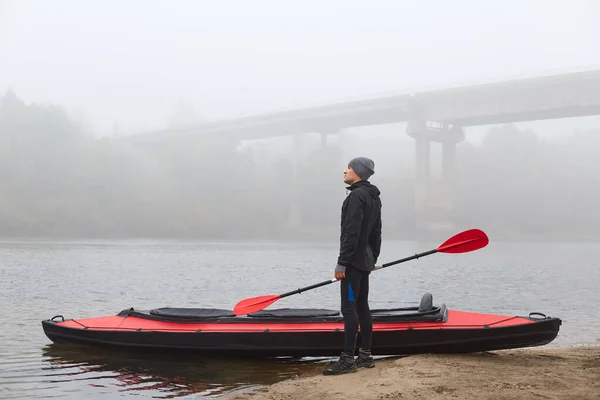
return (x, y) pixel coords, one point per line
(130, 62)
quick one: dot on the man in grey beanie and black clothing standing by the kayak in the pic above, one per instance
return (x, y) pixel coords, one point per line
(360, 244)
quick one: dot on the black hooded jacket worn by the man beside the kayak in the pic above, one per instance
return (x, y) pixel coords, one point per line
(360, 238)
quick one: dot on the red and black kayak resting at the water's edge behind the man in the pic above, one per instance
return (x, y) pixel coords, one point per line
(301, 332)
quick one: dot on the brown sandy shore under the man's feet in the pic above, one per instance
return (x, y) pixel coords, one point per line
(572, 373)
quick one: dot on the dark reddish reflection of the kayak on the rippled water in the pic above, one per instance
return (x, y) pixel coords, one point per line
(161, 375)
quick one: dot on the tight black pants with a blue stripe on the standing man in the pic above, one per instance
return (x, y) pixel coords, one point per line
(355, 309)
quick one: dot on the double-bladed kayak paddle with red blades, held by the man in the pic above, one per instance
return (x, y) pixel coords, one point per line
(464, 242)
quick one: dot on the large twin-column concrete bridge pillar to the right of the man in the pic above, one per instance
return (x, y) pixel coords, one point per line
(434, 197)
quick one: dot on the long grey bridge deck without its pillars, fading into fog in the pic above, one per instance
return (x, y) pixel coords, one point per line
(547, 97)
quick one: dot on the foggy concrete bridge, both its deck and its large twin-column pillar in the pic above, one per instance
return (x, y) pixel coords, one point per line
(432, 116)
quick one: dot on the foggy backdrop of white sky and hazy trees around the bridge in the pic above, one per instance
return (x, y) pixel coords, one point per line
(78, 77)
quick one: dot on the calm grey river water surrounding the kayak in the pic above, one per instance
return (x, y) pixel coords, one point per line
(41, 279)
